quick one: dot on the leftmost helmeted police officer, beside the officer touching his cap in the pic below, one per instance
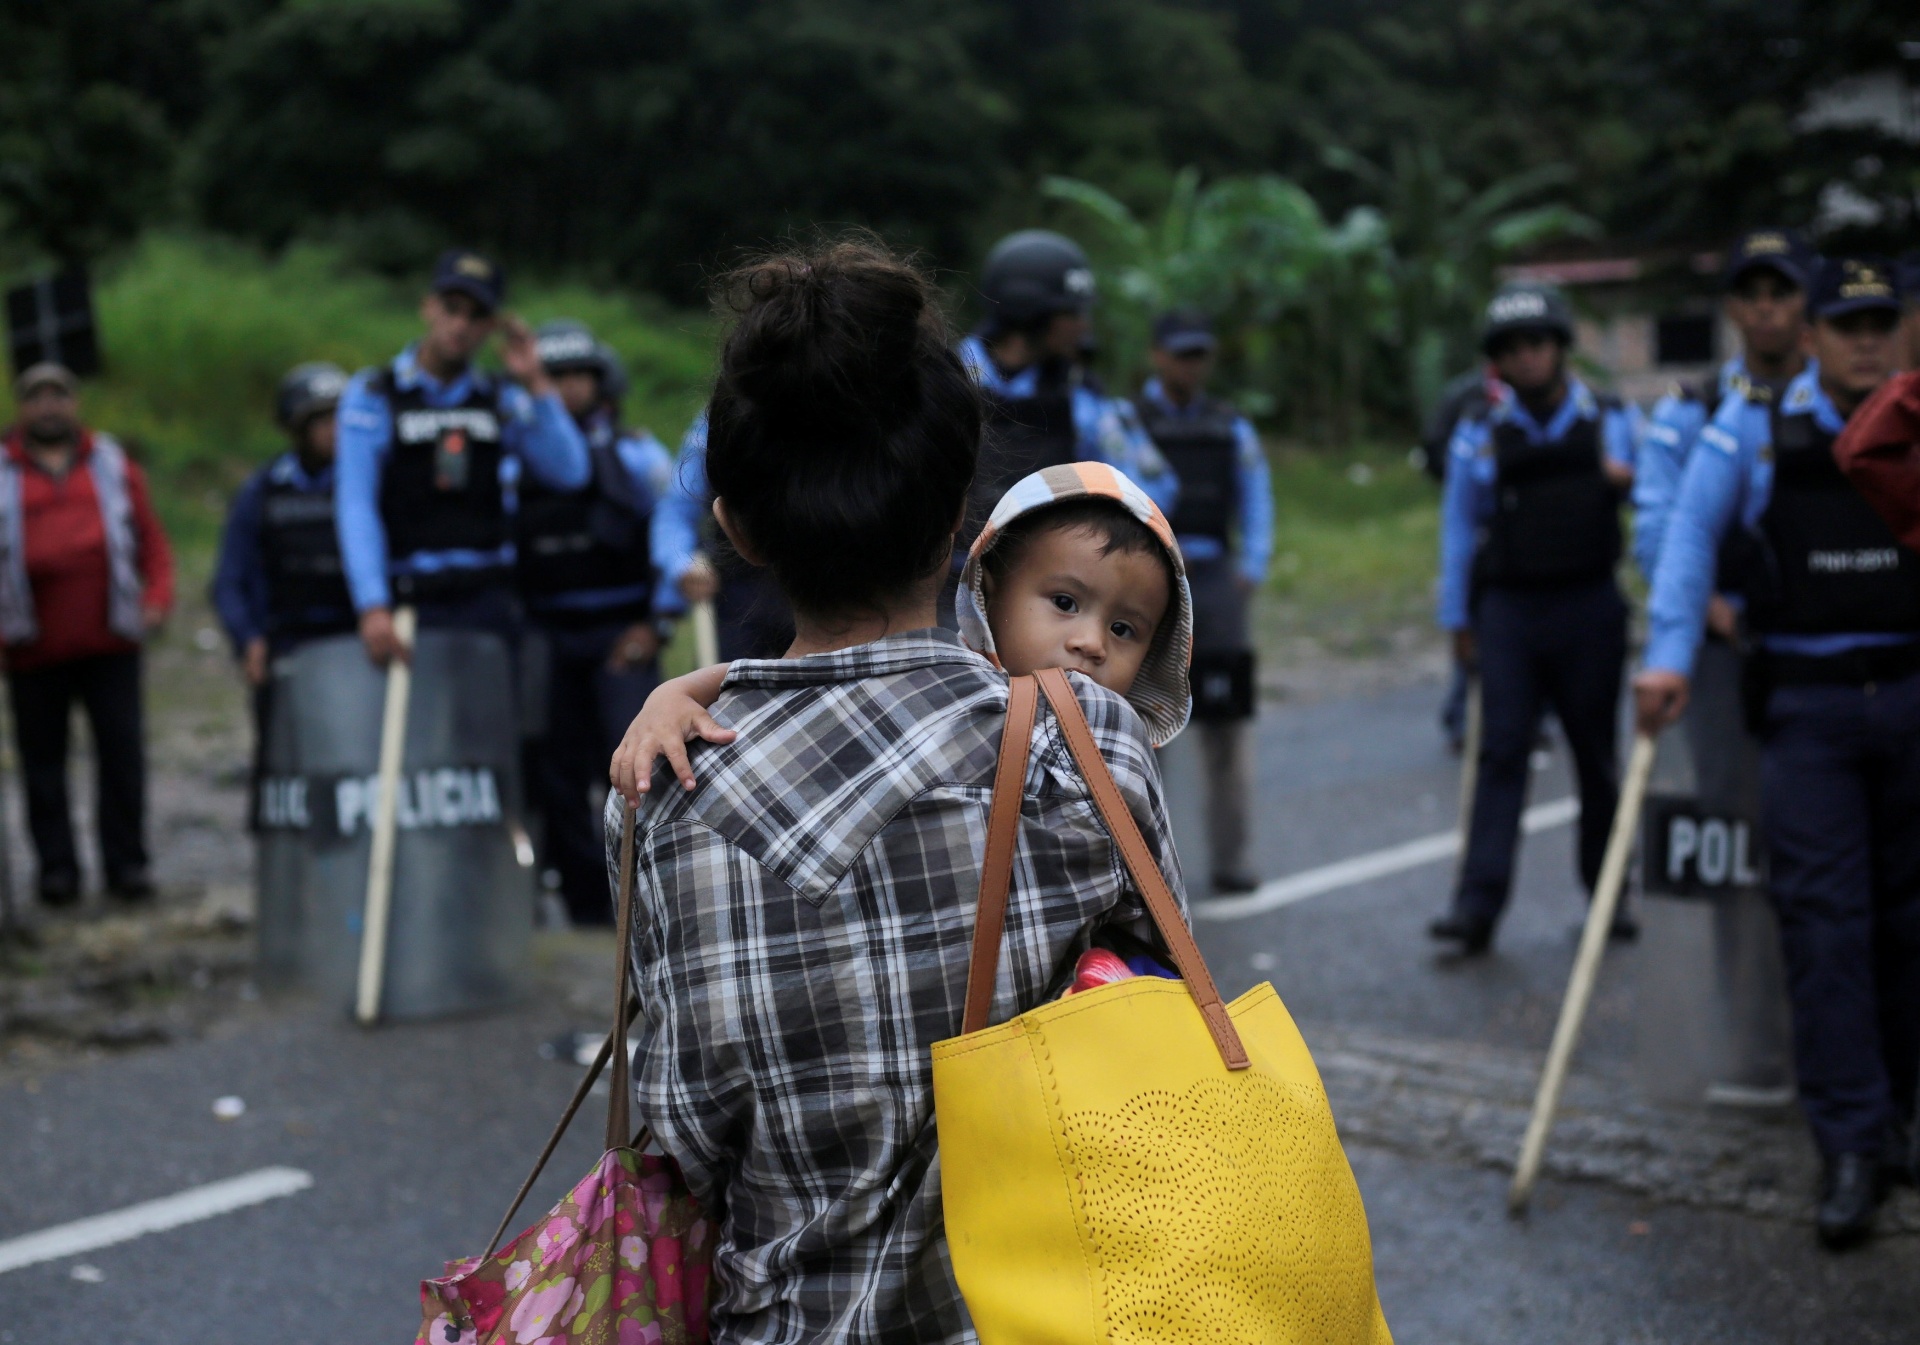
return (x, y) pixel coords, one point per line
(279, 580)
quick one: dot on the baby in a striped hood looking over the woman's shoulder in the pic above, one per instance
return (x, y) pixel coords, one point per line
(1076, 569)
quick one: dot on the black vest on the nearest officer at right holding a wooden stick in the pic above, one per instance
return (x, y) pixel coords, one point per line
(1833, 563)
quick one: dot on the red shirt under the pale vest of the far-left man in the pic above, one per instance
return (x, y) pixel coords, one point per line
(66, 548)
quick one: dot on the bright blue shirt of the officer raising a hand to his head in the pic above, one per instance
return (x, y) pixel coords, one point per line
(537, 431)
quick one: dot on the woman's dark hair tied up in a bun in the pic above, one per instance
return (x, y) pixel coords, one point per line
(844, 429)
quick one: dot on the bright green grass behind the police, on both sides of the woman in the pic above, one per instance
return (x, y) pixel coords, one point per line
(197, 337)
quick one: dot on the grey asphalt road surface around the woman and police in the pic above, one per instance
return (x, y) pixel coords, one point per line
(418, 1135)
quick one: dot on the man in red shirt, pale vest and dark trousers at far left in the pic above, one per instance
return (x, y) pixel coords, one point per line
(85, 577)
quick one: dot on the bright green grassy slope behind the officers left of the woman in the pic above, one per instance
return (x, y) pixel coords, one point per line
(199, 335)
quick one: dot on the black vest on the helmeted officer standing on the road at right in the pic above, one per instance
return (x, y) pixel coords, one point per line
(1556, 515)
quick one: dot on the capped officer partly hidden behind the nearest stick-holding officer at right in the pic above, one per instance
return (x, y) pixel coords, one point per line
(1767, 275)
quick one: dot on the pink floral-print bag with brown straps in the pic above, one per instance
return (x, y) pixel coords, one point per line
(625, 1260)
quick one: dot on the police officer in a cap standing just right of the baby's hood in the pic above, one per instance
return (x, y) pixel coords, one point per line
(1224, 523)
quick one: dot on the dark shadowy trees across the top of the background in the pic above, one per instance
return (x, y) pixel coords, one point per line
(644, 139)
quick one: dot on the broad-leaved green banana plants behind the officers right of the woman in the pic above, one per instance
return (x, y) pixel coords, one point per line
(1324, 321)
